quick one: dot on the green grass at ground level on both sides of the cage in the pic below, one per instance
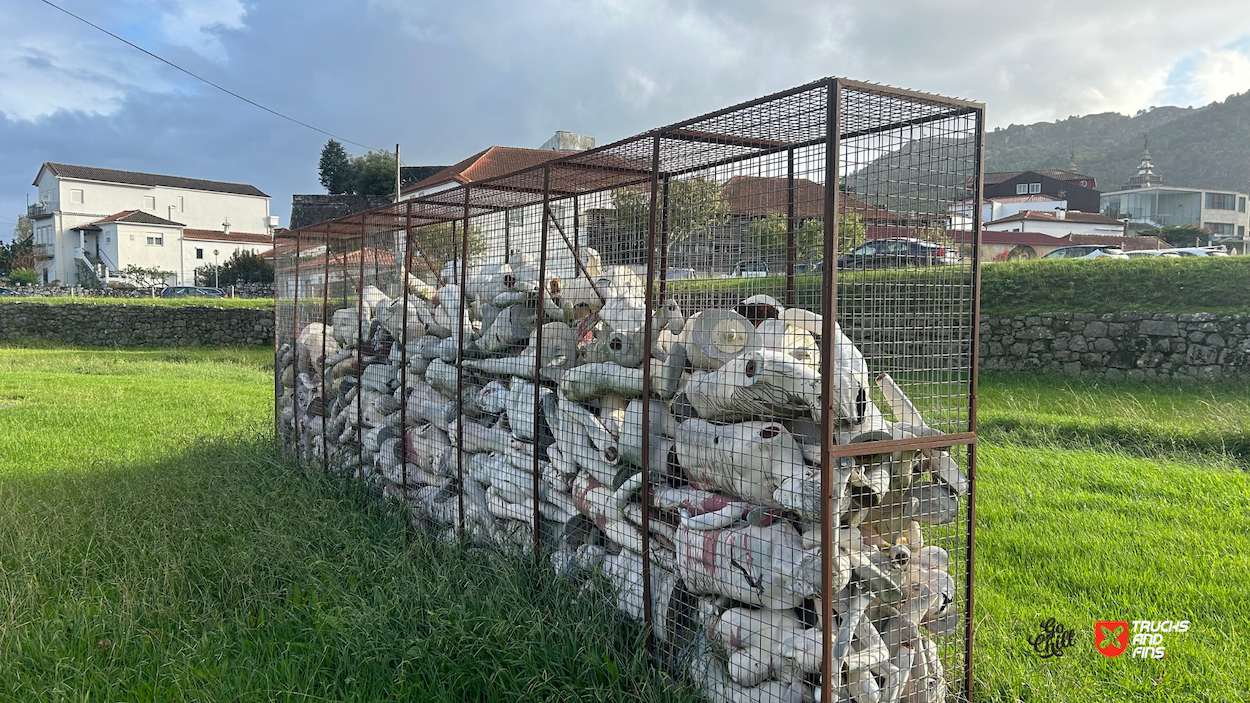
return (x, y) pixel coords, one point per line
(152, 549)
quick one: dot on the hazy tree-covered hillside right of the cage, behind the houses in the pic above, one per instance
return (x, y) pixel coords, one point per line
(1198, 148)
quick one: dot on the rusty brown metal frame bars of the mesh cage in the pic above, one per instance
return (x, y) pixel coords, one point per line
(623, 164)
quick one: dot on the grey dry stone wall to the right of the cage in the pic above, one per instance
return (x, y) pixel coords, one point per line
(1121, 346)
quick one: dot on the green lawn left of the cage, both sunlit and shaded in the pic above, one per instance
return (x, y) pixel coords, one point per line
(153, 549)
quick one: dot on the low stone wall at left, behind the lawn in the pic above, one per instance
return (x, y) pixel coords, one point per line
(137, 326)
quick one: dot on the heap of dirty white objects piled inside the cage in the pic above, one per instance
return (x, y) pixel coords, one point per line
(736, 455)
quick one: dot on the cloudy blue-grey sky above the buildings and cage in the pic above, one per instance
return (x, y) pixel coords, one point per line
(448, 79)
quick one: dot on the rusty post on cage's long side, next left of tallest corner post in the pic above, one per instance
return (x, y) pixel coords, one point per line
(649, 302)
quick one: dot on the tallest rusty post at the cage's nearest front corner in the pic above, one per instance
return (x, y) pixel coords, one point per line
(828, 311)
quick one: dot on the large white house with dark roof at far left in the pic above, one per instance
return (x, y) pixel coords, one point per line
(92, 223)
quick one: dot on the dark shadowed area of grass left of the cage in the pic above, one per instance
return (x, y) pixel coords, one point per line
(227, 574)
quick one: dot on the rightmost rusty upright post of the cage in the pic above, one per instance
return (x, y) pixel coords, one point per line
(971, 575)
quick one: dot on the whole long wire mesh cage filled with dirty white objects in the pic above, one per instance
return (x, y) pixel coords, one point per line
(726, 370)
